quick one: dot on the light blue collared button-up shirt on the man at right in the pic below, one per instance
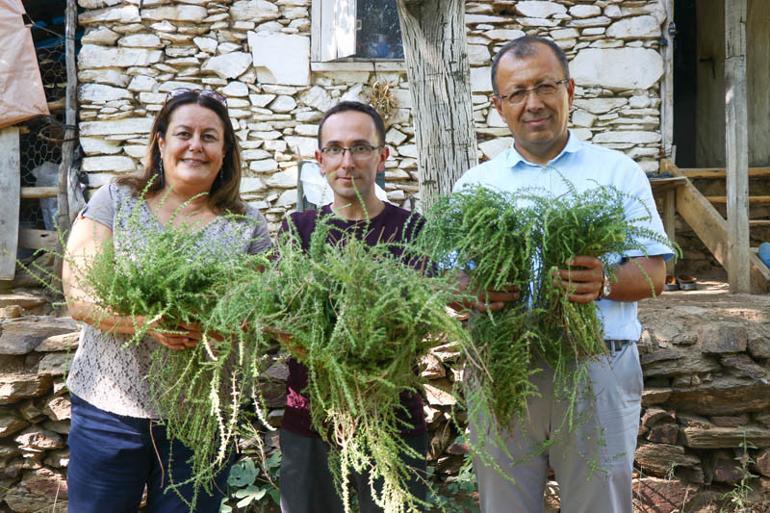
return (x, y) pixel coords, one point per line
(585, 166)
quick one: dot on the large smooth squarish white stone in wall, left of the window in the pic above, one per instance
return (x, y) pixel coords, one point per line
(281, 58)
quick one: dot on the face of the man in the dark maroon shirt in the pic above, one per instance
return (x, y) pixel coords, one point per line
(351, 174)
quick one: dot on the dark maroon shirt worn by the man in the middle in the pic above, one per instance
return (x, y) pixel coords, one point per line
(393, 225)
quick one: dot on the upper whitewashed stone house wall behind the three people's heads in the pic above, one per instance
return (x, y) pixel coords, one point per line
(257, 52)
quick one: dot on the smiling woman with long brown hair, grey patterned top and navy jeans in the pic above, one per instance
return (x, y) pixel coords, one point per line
(191, 177)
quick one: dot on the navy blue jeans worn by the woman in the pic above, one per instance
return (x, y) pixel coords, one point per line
(113, 457)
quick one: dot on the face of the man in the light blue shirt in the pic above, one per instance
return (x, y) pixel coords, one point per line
(539, 122)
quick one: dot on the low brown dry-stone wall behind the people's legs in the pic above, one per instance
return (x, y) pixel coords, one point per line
(706, 361)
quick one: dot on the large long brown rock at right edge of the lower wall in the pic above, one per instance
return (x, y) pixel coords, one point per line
(725, 395)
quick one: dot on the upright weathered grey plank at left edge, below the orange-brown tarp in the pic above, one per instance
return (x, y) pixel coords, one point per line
(10, 183)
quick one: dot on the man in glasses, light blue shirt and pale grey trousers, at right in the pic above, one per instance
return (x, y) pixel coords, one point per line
(533, 93)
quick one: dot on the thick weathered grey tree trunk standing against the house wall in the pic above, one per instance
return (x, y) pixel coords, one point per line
(437, 66)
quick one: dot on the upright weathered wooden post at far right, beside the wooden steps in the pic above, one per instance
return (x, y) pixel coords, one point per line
(737, 148)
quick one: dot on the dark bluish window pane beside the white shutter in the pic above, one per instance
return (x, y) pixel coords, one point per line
(379, 33)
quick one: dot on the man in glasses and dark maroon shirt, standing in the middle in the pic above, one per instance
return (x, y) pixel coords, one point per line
(351, 151)
